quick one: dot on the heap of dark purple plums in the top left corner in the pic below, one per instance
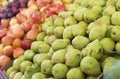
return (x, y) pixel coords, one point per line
(12, 8)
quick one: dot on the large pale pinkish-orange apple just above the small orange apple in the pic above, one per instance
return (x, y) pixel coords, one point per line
(18, 32)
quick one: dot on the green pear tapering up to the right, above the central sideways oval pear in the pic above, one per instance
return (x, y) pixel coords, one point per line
(79, 29)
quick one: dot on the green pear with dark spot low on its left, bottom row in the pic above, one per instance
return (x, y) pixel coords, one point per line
(46, 67)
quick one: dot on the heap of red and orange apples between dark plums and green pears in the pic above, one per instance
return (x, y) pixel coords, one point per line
(18, 32)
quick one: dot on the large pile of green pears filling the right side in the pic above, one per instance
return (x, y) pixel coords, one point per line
(81, 42)
